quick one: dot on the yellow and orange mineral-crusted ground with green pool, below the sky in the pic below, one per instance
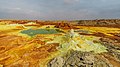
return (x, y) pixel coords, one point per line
(80, 43)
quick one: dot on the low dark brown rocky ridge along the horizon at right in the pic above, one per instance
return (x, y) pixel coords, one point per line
(101, 22)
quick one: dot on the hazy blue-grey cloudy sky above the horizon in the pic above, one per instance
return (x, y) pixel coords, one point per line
(59, 9)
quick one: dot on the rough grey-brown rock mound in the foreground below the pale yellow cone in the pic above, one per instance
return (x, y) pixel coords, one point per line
(80, 59)
